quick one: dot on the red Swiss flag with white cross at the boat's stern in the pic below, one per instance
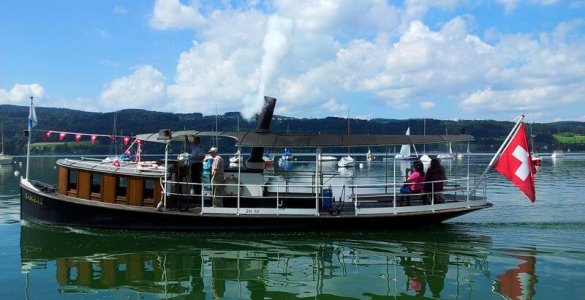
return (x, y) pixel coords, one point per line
(516, 165)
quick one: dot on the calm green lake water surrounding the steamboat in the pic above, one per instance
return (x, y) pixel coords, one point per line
(515, 250)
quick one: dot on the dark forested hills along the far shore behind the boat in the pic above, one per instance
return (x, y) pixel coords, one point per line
(488, 134)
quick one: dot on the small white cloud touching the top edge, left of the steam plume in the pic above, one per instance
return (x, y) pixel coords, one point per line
(171, 14)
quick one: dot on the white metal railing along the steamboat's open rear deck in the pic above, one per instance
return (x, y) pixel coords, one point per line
(381, 198)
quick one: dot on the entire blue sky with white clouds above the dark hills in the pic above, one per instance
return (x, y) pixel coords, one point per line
(449, 59)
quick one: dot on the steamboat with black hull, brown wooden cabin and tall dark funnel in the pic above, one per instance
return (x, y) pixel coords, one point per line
(154, 196)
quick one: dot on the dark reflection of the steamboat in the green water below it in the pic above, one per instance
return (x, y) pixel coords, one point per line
(381, 265)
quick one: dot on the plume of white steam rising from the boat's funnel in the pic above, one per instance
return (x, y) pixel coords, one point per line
(277, 44)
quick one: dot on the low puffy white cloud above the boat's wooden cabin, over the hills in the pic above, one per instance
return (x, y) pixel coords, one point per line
(145, 88)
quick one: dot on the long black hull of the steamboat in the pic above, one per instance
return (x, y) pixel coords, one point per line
(53, 209)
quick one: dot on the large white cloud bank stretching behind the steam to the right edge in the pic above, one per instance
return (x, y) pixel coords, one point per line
(336, 49)
